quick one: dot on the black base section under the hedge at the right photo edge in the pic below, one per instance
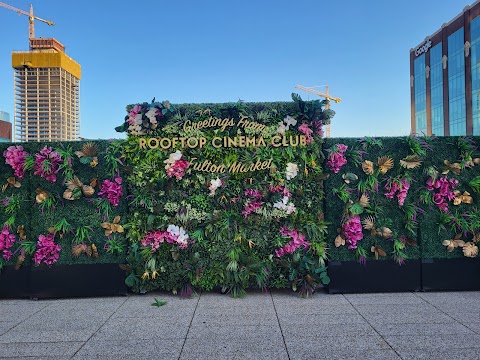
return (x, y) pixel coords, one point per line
(461, 274)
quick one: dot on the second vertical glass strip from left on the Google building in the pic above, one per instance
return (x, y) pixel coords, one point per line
(436, 90)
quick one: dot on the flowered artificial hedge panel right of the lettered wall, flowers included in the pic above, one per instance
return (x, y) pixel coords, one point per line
(402, 198)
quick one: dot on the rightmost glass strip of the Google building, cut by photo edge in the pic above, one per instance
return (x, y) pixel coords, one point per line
(475, 57)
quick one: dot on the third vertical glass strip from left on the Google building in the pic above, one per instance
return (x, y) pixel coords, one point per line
(456, 84)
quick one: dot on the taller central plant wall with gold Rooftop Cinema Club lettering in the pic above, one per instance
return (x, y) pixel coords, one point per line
(226, 195)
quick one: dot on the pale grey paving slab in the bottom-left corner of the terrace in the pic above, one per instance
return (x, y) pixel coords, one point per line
(45, 349)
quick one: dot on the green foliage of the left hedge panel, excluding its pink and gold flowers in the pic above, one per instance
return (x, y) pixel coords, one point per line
(73, 222)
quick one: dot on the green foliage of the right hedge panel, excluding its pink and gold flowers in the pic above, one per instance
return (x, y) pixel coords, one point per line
(419, 222)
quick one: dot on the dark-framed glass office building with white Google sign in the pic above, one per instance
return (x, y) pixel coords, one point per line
(445, 78)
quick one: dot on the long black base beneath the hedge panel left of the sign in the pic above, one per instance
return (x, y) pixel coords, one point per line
(63, 281)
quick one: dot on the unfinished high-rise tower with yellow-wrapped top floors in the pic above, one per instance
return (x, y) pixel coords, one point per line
(47, 93)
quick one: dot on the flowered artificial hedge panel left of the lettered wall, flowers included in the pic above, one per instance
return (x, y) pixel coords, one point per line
(62, 203)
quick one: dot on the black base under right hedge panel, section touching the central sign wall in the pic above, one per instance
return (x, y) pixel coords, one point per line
(376, 276)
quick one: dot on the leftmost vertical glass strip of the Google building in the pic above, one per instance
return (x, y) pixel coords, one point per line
(420, 91)
